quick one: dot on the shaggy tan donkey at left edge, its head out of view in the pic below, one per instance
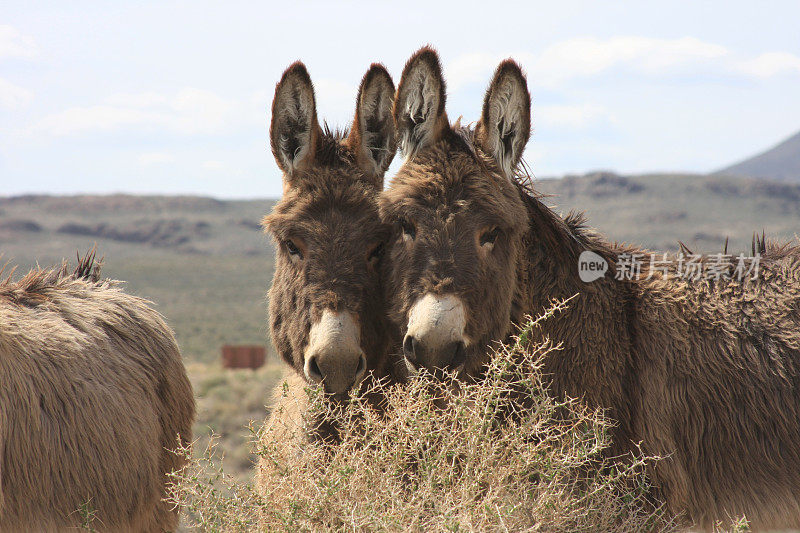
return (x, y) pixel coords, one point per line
(94, 398)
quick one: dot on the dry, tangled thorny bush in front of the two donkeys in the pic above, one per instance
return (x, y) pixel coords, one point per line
(496, 455)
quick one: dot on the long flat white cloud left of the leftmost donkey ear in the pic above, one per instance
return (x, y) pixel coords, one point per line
(190, 111)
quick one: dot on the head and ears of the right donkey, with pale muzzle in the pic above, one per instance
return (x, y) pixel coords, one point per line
(458, 217)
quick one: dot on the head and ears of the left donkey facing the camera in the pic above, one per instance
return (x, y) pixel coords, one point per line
(326, 301)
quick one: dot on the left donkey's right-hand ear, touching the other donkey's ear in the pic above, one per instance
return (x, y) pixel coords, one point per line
(372, 136)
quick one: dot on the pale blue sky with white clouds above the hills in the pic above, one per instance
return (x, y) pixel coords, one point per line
(173, 97)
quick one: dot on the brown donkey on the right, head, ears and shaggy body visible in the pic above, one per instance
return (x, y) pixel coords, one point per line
(705, 373)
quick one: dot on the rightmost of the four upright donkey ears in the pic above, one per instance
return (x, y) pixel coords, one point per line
(505, 124)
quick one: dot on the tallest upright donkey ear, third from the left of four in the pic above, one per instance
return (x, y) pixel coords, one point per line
(419, 106)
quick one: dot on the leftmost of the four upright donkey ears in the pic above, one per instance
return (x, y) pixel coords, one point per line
(294, 129)
